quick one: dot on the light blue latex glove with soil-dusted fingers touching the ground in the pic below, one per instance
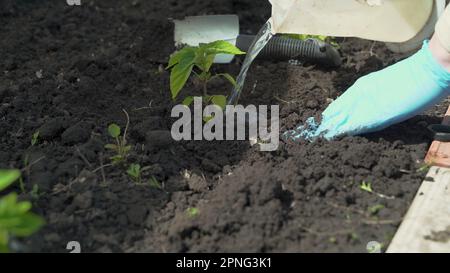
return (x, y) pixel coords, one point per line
(382, 98)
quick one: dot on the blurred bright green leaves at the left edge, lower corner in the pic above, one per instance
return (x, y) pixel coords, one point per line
(15, 216)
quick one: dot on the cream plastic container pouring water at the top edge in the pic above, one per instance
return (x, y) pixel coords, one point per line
(381, 20)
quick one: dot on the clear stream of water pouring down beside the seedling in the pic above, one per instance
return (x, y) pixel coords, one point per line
(261, 40)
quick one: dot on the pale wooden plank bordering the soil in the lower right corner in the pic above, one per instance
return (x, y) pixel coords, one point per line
(426, 226)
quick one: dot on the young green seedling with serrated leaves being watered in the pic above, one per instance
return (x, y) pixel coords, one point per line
(198, 61)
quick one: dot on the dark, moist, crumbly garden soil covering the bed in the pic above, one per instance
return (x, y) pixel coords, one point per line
(68, 72)
